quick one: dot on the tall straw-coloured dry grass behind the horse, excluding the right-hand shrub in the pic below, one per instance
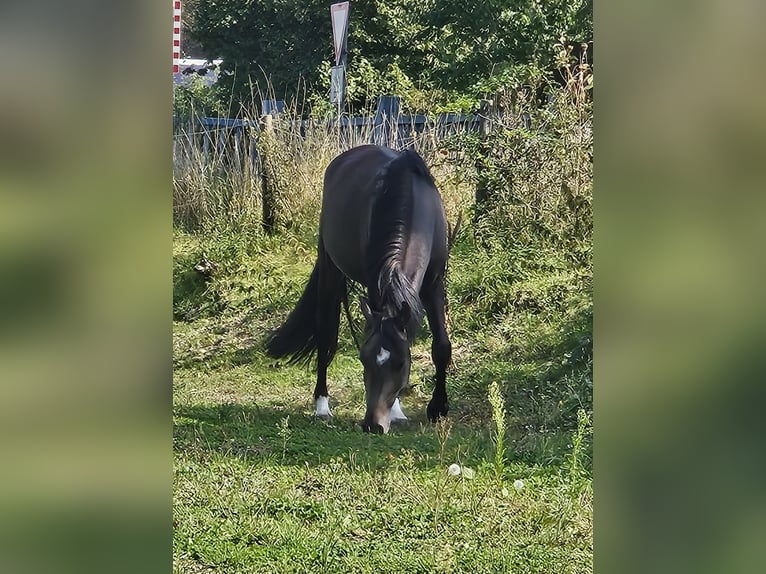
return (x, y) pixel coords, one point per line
(219, 174)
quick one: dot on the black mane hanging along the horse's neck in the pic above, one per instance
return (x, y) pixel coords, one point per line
(389, 288)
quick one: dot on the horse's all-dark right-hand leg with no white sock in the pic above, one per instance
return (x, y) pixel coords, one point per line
(434, 301)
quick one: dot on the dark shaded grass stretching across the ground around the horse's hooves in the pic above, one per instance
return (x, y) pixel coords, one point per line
(541, 397)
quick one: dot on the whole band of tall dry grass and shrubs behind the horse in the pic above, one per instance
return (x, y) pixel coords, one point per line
(534, 169)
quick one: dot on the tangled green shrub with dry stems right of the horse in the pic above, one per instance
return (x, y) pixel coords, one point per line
(534, 186)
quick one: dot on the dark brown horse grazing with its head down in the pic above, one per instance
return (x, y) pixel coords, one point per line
(383, 226)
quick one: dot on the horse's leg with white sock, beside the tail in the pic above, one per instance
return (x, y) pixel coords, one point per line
(332, 285)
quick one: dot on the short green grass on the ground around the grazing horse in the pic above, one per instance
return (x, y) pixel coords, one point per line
(260, 485)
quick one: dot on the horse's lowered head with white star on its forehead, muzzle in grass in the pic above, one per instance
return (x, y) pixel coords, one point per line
(386, 358)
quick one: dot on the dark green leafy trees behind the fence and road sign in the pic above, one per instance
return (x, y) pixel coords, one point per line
(424, 51)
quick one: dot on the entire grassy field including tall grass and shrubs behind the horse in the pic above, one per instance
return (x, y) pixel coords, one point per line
(260, 485)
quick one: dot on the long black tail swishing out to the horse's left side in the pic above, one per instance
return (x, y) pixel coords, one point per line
(296, 338)
